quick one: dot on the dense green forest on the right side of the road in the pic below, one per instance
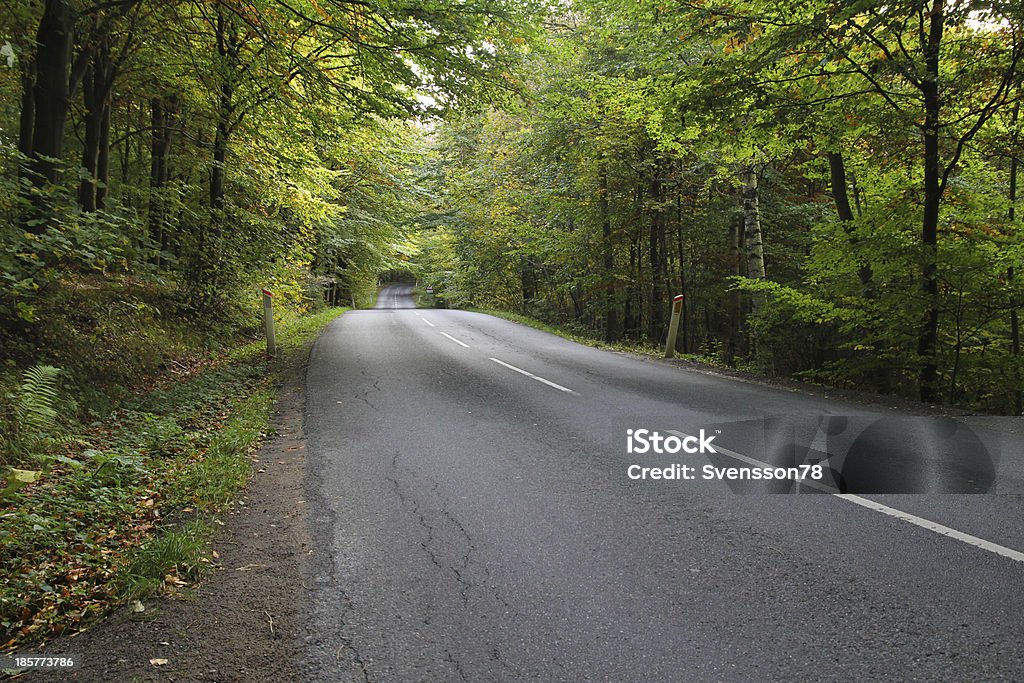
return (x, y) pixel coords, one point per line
(831, 186)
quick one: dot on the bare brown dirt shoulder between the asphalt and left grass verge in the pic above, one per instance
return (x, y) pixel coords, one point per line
(242, 623)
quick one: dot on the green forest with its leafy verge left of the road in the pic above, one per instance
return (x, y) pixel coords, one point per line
(161, 162)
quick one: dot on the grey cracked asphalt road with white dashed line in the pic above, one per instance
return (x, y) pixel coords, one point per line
(474, 521)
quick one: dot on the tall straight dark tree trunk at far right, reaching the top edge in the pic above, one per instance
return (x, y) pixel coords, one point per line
(929, 336)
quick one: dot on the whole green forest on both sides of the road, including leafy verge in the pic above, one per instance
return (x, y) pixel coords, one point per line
(832, 186)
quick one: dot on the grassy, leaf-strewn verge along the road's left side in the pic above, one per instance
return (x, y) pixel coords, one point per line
(126, 511)
